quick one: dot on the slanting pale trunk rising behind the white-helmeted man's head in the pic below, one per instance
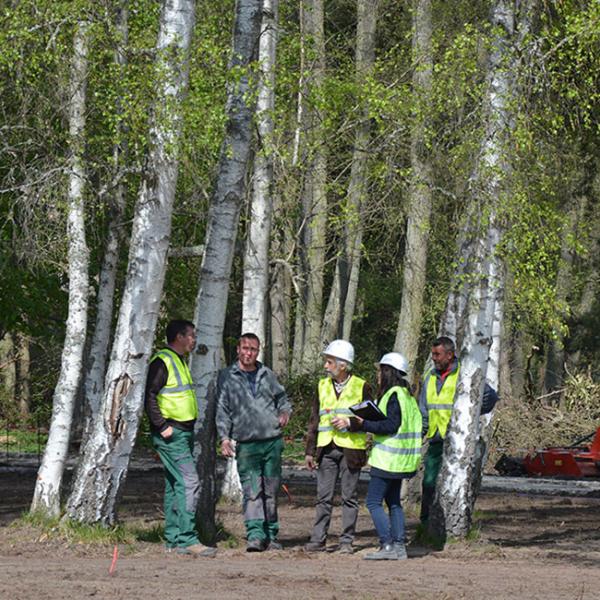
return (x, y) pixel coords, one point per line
(342, 298)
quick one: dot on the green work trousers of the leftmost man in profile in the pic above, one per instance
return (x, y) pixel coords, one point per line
(182, 487)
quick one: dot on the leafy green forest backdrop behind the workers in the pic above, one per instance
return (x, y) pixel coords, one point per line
(373, 142)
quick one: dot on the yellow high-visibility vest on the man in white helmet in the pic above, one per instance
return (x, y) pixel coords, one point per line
(332, 406)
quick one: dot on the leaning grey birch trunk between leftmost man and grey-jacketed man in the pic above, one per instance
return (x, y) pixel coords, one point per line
(223, 218)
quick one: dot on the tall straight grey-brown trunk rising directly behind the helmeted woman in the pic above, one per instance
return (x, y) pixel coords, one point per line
(420, 192)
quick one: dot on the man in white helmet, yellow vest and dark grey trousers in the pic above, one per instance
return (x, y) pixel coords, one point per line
(336, 452)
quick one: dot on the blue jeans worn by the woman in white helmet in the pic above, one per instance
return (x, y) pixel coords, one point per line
(389, 528)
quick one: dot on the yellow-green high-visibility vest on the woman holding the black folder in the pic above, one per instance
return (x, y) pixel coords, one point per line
(401, 452)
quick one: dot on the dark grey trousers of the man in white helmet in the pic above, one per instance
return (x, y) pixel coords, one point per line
(333, 463)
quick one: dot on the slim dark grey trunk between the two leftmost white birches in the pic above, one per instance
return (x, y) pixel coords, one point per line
(98, 353)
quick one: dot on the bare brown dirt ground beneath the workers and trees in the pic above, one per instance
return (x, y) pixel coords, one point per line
(528, 547)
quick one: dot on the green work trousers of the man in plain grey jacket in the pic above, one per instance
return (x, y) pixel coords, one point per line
(259, 466)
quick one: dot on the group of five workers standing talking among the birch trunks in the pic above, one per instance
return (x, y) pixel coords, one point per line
(253, 408)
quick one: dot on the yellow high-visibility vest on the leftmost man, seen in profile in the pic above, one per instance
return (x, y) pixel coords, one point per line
(177, 399)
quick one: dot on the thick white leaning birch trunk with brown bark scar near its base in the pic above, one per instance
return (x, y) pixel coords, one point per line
(105, 458)
